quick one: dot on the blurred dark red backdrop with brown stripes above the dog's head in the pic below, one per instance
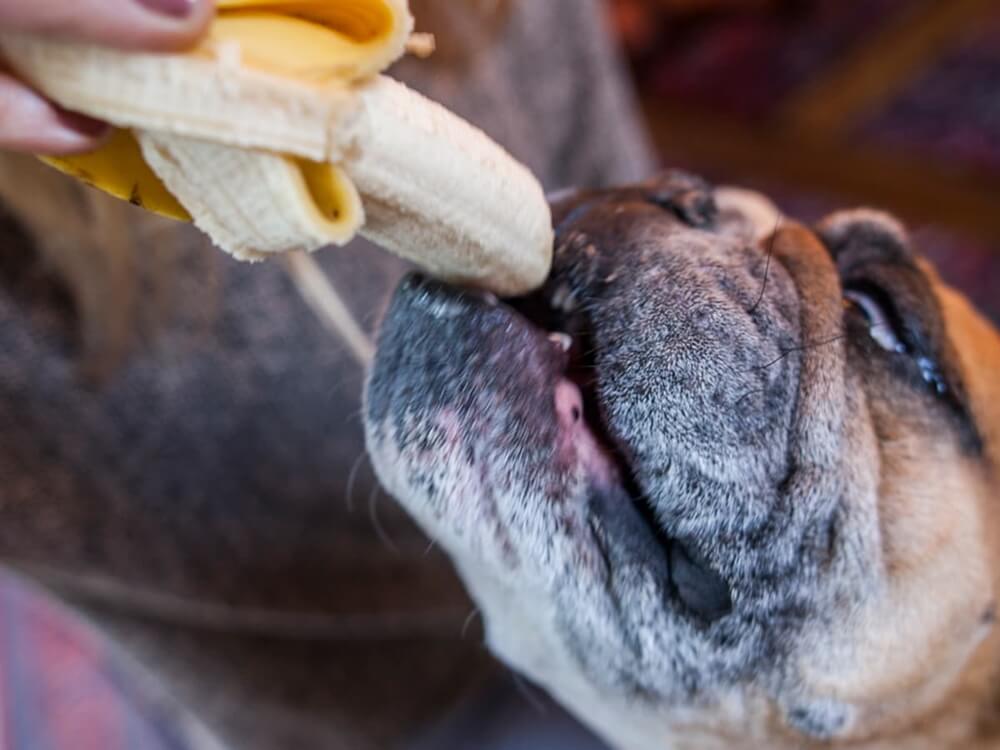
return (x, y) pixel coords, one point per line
(824, 104)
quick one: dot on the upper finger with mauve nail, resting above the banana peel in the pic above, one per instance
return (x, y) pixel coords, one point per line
(128, 24)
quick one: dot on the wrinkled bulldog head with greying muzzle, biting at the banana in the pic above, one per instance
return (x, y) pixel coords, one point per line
(746, 502)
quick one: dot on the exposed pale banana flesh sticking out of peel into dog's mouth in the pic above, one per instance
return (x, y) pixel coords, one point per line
(468, 196)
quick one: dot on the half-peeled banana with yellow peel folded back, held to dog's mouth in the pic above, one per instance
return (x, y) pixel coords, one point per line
(276, 133)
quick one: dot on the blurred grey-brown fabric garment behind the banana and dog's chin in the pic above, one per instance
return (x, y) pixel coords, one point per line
(216, 483)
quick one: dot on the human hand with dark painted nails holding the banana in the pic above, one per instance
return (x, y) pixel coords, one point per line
(28, 121)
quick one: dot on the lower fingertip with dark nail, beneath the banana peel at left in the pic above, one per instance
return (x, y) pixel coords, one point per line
(29, 122)
